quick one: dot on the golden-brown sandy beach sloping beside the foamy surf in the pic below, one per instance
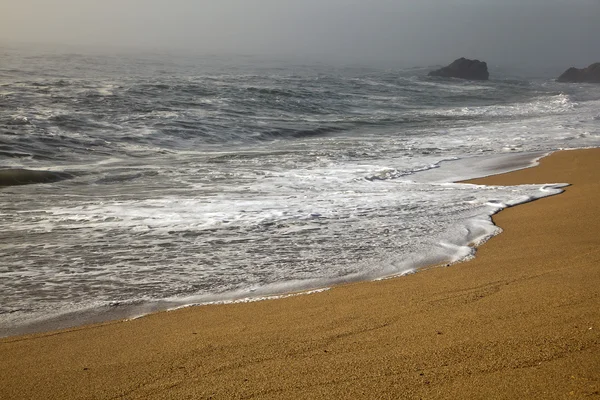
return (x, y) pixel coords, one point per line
(521, 321)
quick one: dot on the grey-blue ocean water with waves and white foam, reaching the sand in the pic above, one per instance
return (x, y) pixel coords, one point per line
(207, 179)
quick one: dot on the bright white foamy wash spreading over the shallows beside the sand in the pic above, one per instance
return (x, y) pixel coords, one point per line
(265, 243)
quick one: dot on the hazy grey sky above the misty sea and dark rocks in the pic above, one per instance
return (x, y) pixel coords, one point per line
(411, 33)
